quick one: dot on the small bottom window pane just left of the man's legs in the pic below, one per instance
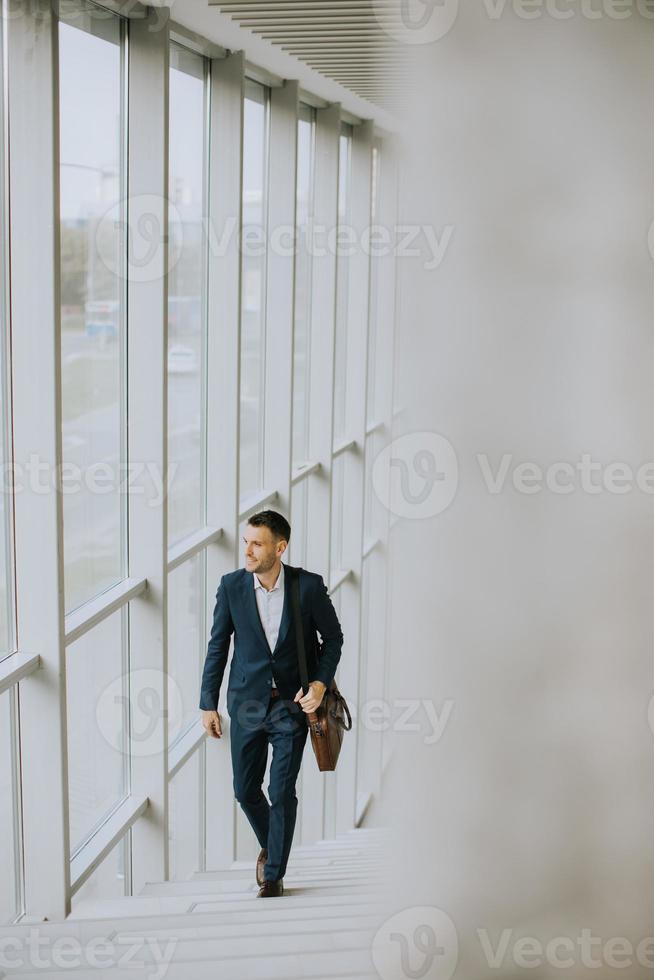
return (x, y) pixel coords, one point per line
(186, 807)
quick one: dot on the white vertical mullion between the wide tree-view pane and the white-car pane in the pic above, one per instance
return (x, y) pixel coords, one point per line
(148, 428)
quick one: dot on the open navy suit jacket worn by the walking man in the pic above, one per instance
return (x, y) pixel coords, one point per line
(253, 664)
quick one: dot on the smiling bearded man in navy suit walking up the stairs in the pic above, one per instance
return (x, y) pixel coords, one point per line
(264, 693)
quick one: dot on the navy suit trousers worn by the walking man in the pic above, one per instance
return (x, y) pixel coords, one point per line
(274, 822)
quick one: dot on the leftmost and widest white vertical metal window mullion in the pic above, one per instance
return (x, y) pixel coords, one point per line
(32, 47)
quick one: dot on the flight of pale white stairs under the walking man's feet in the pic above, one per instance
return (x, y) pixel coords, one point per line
(336, 895)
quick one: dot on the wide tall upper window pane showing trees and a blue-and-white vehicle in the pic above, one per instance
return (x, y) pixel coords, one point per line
(92, 302)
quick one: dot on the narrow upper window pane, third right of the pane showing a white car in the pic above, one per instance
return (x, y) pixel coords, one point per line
(342, 282)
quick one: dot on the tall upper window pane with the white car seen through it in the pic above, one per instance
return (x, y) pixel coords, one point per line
(186, 293)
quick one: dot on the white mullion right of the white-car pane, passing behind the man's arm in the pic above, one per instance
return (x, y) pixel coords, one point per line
(227, 79)
